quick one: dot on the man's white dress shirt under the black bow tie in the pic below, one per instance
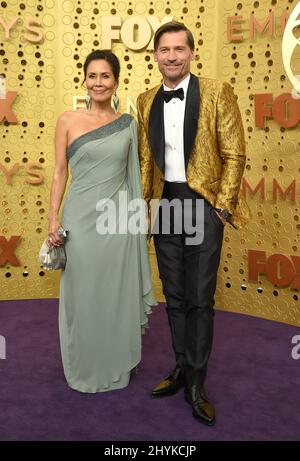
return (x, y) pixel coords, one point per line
(174, 140)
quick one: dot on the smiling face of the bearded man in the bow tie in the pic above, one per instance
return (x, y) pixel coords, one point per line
(174, 56)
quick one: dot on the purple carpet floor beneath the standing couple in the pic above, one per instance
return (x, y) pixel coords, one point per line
(253, 381)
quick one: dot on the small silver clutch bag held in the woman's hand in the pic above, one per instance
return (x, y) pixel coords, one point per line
(54, 257)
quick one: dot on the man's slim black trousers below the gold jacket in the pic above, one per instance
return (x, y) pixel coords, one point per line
(188, 274)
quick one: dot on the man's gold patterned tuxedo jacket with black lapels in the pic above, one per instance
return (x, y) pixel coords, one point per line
(214, 145)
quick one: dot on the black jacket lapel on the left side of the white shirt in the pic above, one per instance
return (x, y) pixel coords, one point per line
(157, 131)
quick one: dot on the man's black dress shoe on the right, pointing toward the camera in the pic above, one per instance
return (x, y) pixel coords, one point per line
(203, 410)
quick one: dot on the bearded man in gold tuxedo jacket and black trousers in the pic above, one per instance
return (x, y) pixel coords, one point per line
(191, 147)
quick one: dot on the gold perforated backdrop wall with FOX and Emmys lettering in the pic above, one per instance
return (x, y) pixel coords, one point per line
(43, 44)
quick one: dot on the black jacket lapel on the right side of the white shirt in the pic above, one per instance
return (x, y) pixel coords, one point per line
(191, 117)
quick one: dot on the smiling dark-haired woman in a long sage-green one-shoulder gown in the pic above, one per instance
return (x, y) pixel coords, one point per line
(106, 290)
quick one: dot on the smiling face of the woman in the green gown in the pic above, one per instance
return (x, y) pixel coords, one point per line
(100, 80)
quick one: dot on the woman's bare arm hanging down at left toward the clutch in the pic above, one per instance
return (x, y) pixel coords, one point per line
(60, 178)
